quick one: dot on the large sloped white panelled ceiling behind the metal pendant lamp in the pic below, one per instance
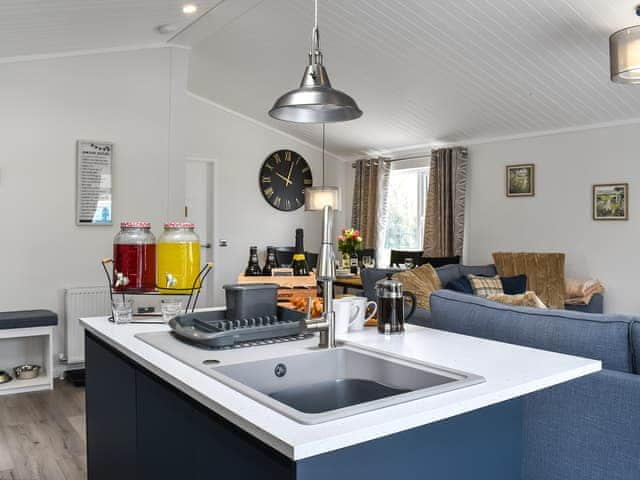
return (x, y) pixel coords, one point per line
(426, 71)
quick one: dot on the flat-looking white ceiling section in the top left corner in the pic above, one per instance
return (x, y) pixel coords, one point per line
(34, 27)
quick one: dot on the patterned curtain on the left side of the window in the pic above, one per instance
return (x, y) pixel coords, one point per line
(369, 211)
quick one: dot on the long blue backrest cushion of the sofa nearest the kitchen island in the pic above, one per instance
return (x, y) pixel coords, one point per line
(601, 337)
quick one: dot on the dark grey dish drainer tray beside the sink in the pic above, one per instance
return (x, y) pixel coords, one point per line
(213, 330)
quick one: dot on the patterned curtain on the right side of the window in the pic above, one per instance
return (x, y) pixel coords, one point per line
(444, 225)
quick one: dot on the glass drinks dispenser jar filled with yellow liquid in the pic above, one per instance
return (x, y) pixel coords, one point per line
(178, 257)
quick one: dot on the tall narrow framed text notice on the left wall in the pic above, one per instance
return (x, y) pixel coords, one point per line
(93, 171)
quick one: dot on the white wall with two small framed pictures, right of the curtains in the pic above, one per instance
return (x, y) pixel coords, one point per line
(559, 217)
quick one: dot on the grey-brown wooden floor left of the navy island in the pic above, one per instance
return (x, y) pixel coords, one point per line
(42, 435)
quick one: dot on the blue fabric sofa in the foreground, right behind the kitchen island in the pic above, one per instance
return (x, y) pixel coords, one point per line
(586, 429)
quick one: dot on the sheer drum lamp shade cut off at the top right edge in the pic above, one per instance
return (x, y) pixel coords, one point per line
(624, 51)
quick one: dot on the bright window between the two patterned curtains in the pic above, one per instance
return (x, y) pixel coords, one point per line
(406, 208)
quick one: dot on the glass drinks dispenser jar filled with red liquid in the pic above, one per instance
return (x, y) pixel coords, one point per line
(134, 257)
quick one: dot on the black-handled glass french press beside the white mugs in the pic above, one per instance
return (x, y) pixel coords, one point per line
(391, 300)
